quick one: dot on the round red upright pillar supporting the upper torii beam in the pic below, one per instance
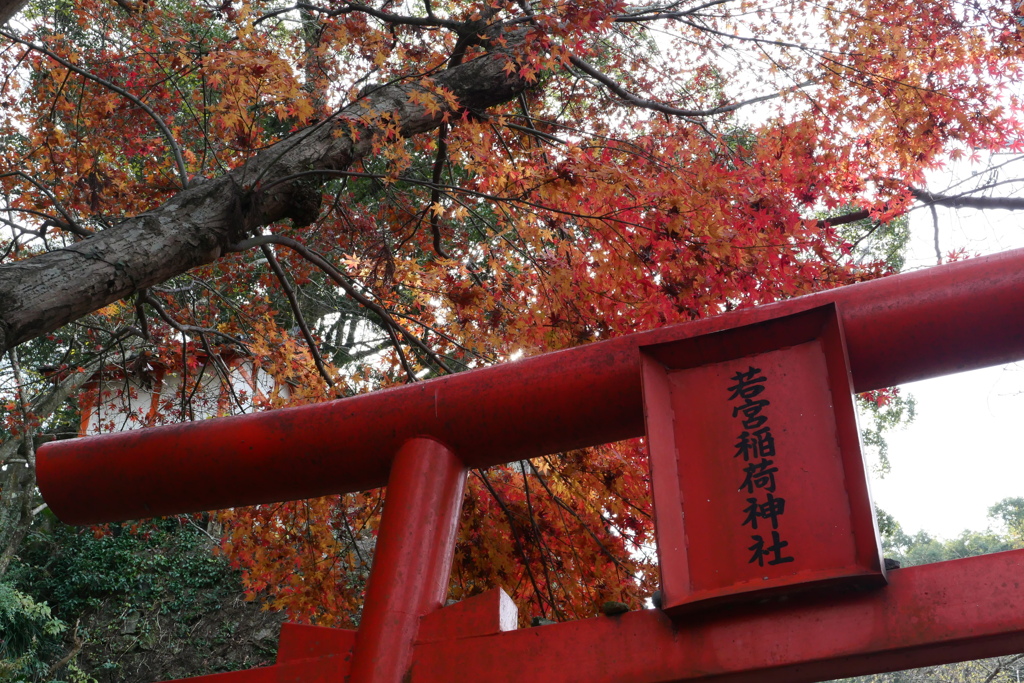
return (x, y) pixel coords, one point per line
(413, 560)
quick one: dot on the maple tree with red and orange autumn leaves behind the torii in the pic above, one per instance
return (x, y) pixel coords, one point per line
(353, 196)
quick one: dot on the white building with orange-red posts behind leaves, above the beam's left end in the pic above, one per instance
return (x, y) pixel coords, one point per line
(146, 393)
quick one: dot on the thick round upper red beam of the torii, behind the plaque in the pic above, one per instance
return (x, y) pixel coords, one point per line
(899, 329)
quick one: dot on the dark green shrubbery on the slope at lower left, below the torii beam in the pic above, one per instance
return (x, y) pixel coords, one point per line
(141, 588)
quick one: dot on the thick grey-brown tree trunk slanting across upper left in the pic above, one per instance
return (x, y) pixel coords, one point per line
(44, 293)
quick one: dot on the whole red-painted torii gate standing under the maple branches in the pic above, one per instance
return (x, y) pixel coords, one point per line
(420, 440)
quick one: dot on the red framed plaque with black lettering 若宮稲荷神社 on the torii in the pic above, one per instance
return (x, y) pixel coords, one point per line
(760, 488)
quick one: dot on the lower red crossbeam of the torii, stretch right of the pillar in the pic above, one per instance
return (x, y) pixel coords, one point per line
(928, 615)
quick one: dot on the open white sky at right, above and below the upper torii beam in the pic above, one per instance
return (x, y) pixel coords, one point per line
(962, 455)
